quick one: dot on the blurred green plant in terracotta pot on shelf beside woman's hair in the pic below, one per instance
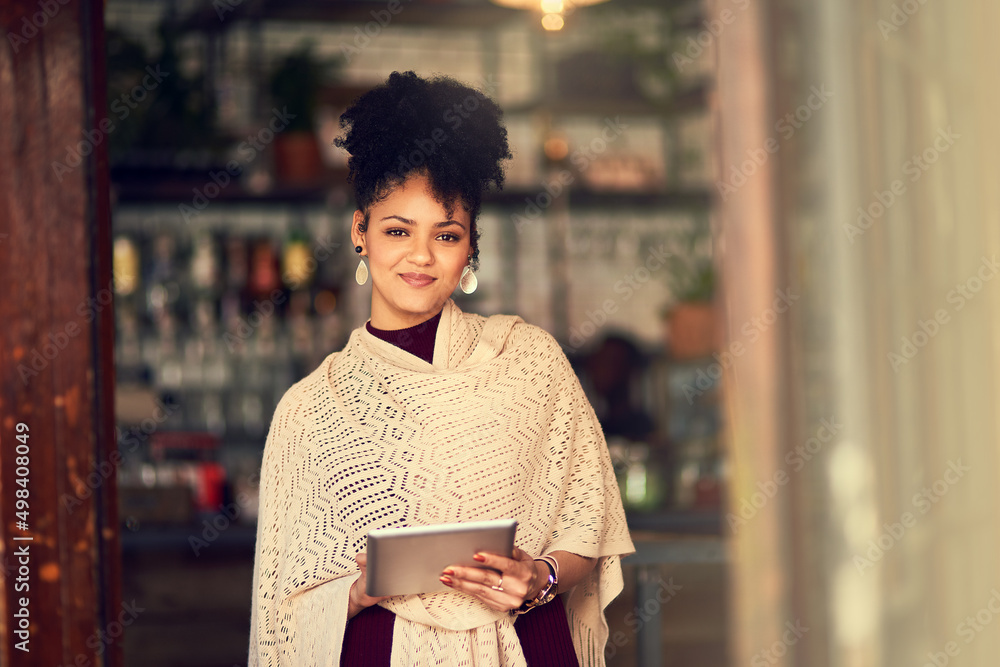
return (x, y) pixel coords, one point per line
(295, 85)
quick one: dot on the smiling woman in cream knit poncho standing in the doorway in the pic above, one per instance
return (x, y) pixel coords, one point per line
(431, 415)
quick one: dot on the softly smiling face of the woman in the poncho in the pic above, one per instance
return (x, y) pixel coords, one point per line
(415, 252)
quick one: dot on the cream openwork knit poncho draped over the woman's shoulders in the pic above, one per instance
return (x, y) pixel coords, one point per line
(497, 427)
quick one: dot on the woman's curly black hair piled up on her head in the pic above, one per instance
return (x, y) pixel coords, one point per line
(438, 126)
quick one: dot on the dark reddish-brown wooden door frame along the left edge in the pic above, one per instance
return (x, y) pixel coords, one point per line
(57, 340)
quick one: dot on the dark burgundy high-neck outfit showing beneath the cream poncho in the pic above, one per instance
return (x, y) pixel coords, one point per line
(544, 631)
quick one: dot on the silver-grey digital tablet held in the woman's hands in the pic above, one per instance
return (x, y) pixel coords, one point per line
(402, 561)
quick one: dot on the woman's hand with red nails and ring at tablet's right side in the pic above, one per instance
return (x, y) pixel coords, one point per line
(503, 587)
